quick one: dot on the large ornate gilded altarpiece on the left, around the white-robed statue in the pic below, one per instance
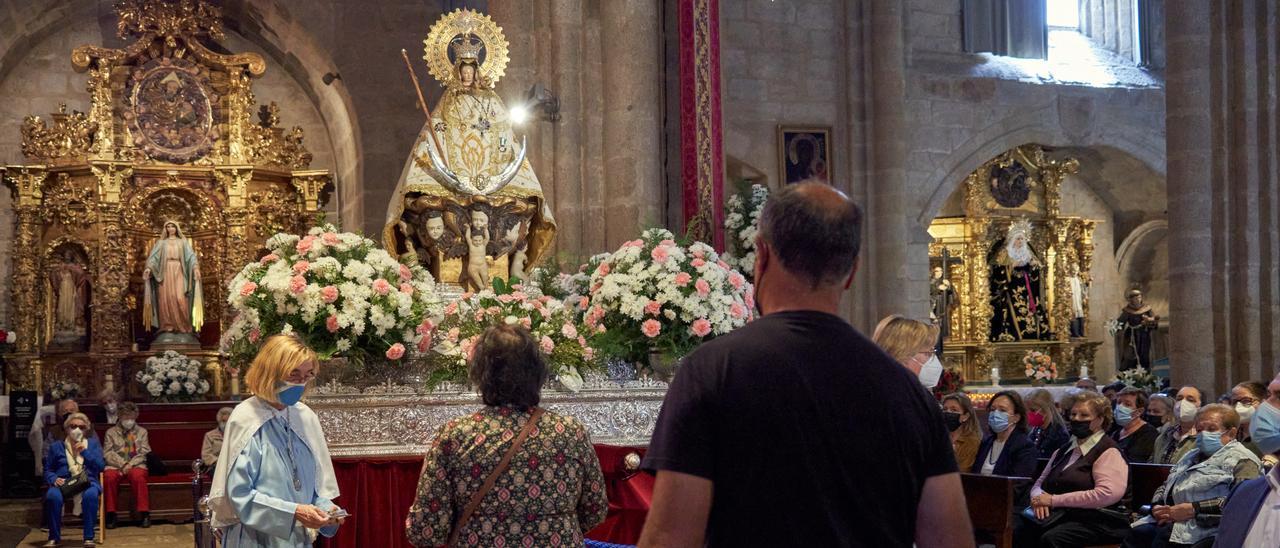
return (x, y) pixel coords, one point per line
(172, 136)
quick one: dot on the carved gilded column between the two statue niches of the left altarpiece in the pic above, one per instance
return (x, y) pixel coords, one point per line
(111, 313)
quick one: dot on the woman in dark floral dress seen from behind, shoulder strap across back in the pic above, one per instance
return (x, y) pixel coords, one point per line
(554, 491)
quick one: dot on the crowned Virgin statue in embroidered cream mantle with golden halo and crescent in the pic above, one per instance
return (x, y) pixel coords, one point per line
(469, 205)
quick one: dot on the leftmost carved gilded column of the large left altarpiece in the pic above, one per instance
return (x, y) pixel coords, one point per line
(28, 184)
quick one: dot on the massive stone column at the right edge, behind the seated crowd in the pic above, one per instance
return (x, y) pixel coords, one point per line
(1222, 120)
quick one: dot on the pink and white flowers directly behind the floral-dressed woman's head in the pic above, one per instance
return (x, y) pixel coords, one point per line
(554, 323)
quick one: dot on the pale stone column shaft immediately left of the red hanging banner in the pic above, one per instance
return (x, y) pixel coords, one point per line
(633, 118)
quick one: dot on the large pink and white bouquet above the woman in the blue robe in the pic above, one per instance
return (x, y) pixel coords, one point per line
(339, 293)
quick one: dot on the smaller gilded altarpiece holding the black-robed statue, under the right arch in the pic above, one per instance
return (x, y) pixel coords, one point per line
(994, 310)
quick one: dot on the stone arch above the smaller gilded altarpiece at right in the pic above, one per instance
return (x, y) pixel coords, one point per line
(1028, 127)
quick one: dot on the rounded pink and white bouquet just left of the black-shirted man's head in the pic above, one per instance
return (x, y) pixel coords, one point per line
(656, 296)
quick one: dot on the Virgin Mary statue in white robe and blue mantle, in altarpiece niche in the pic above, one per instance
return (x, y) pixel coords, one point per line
(173, 300)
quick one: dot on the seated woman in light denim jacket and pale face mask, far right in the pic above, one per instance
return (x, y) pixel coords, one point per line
(1187, 509)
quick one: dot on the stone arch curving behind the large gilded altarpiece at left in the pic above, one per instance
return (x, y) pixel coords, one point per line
(262, 22)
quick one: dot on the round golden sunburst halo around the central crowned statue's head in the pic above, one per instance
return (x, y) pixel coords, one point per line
(467, 26)
